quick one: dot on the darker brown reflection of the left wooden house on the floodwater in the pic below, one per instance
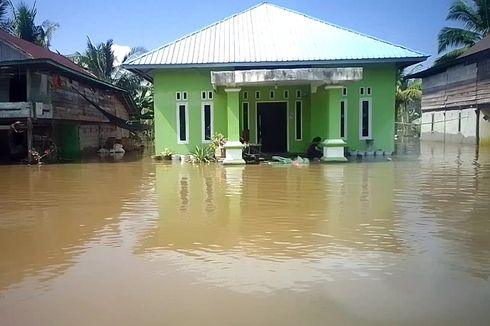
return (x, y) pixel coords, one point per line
(50, 213)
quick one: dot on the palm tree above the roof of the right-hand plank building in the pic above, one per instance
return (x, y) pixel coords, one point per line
(474, 15)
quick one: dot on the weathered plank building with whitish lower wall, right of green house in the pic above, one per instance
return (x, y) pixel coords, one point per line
(456, 98)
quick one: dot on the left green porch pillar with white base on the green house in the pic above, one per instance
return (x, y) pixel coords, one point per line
(233, 146)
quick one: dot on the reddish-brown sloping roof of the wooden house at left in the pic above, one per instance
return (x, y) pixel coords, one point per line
(33, 51)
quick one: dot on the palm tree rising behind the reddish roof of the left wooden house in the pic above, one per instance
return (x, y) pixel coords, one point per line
(23, 25)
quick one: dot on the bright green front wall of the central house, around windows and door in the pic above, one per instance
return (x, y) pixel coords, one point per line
(380, 78)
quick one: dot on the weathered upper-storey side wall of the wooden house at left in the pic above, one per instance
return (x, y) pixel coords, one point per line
(69, 105)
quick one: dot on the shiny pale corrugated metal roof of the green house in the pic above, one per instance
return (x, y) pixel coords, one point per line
(268, 33)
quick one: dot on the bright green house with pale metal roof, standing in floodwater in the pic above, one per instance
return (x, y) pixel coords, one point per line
(277, 78)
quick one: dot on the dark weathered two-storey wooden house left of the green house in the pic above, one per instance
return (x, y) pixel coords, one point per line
(46, 98)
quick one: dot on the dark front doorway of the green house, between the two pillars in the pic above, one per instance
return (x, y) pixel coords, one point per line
(272, 127)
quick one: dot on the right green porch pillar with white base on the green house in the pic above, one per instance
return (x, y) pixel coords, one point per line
(333, 145)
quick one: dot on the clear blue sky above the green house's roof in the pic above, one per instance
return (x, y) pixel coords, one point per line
(153, 23)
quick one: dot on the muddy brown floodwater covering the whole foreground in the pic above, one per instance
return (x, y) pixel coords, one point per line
(403, 242)
